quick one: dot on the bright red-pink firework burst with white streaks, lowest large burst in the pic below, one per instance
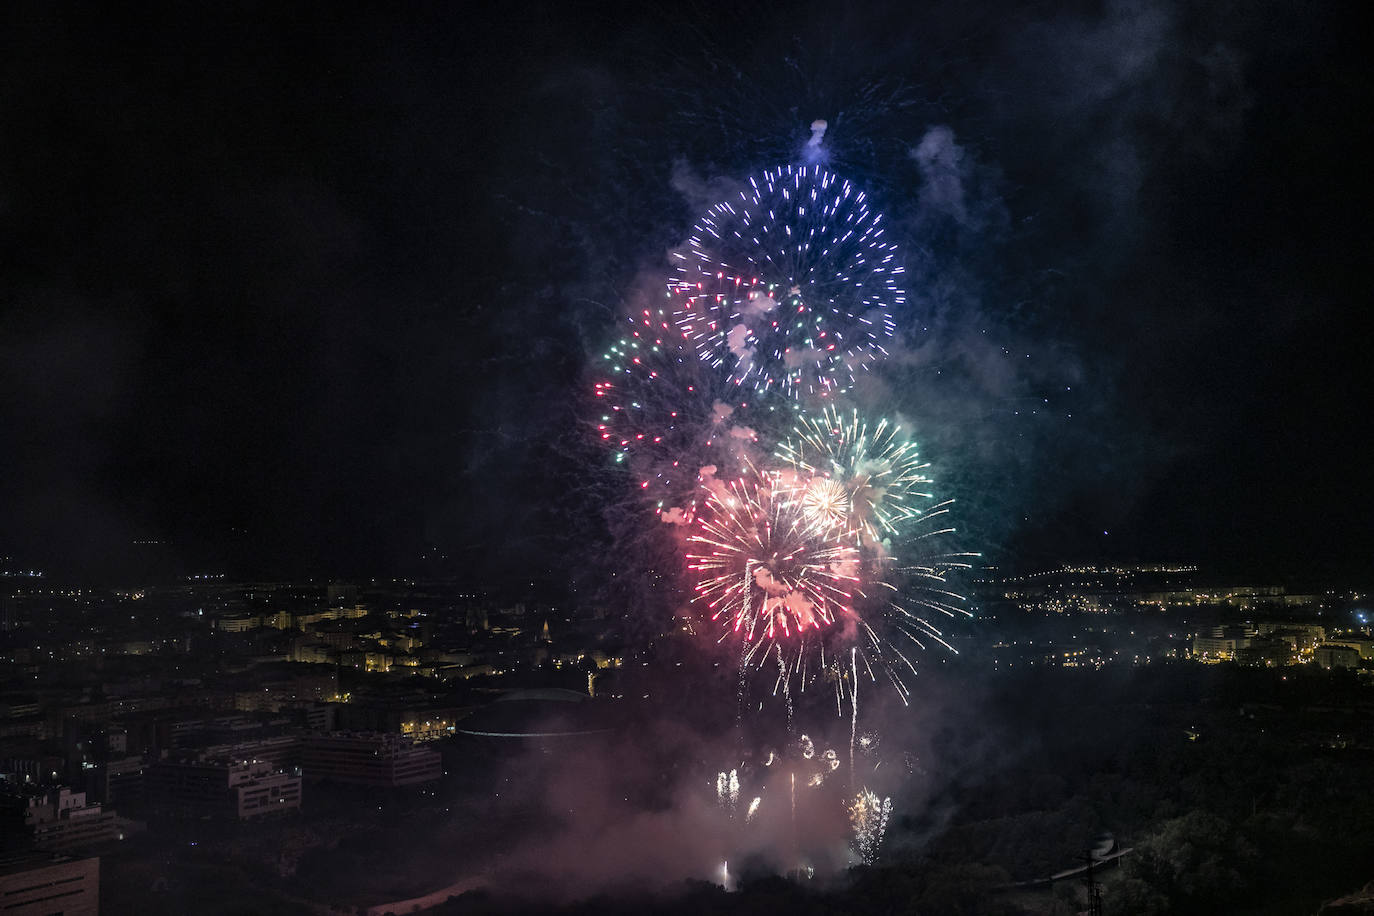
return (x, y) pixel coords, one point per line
(791, 584)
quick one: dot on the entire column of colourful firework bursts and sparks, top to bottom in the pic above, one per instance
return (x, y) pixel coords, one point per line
(807, 550)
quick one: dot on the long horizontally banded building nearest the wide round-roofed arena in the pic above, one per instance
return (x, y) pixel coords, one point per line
(369, 759)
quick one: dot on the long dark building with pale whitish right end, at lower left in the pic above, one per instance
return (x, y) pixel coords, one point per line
(218, 788)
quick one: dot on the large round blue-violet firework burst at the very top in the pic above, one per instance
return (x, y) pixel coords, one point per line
(791, 286)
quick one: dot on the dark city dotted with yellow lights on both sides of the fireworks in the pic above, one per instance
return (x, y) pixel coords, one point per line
(211, 740)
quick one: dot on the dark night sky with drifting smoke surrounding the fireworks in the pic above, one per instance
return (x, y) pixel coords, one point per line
(295, 290)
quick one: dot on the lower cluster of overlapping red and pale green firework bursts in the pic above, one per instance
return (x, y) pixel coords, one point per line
(811, 564)
